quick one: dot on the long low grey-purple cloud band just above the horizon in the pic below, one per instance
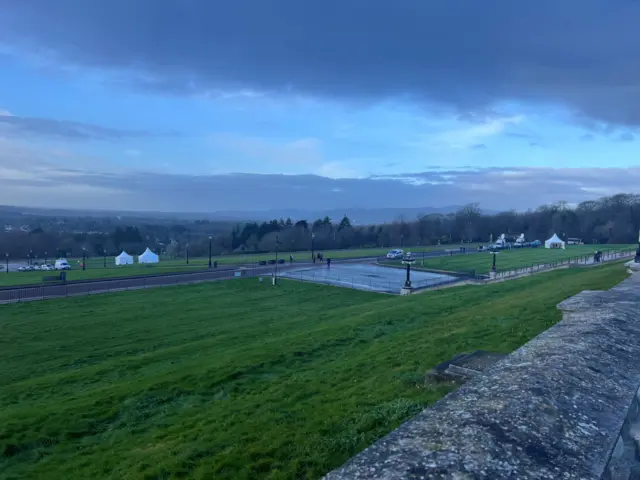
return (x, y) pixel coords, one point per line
(32, 180)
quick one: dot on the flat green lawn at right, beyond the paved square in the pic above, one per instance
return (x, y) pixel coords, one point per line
(512, 259)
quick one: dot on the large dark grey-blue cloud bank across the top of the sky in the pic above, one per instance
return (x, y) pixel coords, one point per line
(576, 53)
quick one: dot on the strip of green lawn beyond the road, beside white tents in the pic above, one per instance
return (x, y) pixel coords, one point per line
(96, 268)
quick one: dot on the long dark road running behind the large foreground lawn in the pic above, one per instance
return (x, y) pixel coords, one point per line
(21, 293)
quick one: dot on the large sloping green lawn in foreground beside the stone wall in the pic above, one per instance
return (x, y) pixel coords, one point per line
(238, 380)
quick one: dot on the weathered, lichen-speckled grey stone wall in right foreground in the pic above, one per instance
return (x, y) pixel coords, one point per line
(553, 409)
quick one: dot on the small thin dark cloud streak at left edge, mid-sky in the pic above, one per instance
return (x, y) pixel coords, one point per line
(65, 129)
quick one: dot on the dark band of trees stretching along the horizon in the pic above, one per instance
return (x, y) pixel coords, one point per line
(612, 220)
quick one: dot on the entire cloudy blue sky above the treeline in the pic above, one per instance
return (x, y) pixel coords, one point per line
(205, 105)
